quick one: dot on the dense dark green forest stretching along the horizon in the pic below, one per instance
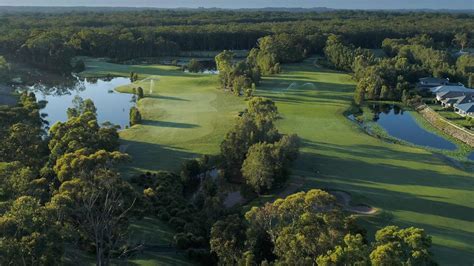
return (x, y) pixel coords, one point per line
(50, 40)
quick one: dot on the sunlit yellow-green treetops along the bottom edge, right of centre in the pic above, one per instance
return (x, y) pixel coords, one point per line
(310, 228)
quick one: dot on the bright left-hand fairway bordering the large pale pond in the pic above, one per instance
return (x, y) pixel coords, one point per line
(184, 116)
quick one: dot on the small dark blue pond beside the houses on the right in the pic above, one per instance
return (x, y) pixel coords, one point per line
(402, 125)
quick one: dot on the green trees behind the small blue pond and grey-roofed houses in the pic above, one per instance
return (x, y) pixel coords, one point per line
(393, 76)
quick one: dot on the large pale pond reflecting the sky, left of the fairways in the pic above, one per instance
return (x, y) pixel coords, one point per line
(111, 106)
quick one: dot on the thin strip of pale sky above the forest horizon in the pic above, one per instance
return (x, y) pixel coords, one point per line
(339, 4)
